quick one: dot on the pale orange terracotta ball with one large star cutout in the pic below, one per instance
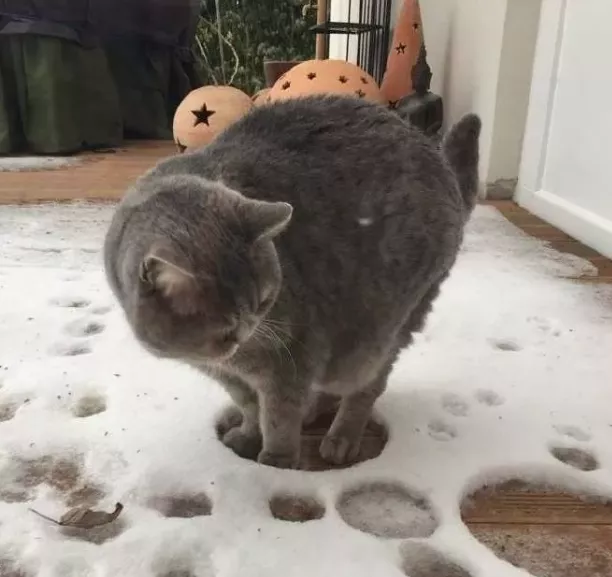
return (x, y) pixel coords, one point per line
(207, 111)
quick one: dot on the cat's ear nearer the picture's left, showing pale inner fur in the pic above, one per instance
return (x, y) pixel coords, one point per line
(168, 274)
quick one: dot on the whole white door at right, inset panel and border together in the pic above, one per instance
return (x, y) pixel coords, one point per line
(567, 159)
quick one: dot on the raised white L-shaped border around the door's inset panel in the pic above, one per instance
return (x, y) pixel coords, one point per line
(586, 226)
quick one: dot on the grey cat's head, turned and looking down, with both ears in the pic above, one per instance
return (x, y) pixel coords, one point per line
(203, 270)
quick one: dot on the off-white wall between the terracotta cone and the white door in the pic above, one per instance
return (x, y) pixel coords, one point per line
(480, 52)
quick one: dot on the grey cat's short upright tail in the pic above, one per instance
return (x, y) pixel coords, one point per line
(461, 149)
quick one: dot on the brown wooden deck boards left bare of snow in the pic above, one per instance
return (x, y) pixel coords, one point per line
(547, 532)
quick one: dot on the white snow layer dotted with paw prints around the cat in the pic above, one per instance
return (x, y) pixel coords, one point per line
(514, 366)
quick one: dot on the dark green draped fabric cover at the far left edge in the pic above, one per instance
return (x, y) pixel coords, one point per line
(56, 96)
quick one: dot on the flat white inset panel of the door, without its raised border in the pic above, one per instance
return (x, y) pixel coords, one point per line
(579, 159)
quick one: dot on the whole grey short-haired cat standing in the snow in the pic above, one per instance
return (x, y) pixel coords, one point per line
(292, 259)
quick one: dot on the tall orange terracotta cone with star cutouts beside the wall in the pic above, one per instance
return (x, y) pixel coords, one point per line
(408, 43)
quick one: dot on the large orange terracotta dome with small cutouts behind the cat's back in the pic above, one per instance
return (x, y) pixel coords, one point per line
(326, 77)
